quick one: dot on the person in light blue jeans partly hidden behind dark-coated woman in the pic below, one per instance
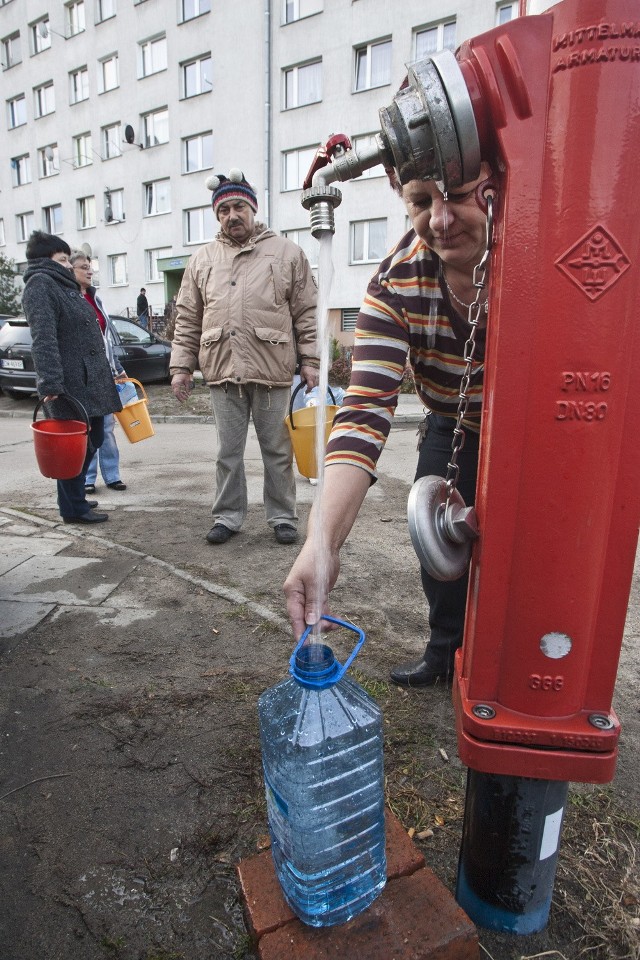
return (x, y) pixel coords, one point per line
(108, 456)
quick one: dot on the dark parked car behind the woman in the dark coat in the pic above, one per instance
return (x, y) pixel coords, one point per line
(144, 356)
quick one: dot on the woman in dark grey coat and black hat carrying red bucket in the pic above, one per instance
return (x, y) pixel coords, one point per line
(69, 357)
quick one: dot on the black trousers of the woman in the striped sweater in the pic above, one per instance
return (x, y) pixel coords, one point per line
(447, 600)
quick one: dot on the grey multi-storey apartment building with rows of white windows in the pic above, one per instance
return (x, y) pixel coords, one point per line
(116, 111)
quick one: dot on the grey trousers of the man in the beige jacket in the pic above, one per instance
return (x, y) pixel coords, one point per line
(268, 406)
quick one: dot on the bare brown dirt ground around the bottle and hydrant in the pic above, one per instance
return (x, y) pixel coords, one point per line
(147, 742)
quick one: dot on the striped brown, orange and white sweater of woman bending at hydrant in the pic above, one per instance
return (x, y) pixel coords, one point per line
(405, 311)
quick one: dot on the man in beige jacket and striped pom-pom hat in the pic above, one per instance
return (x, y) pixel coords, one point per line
(246, 317)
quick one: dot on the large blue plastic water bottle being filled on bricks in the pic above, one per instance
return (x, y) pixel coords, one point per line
(321, 737)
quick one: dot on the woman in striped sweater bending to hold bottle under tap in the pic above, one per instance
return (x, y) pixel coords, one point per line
(417, 303)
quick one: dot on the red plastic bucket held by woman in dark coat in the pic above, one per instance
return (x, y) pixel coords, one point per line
(61, 445)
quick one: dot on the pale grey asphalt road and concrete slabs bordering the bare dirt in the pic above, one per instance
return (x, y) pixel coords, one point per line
(41, 573)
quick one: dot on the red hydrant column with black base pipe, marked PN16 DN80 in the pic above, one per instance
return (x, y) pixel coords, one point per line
(556, 99)
